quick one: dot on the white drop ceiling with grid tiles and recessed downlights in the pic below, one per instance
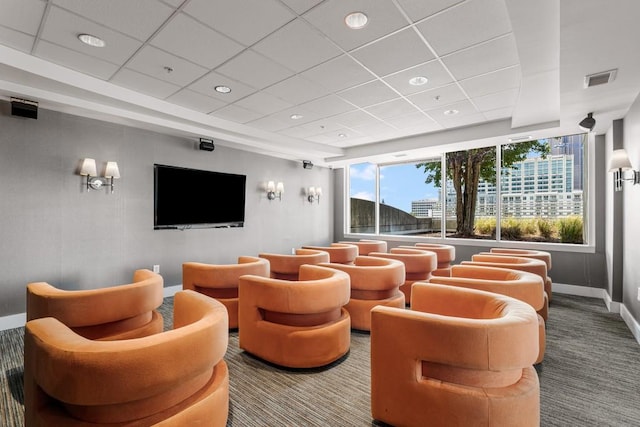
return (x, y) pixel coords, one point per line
(304, 85)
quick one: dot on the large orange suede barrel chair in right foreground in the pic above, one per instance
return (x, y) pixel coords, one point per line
(460, 357)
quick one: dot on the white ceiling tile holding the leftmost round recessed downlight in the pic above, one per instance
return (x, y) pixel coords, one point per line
(62, 28)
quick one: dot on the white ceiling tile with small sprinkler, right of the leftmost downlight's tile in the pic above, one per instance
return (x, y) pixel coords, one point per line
(152, 61)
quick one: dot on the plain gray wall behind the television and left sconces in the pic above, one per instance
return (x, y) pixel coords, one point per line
(52, 230)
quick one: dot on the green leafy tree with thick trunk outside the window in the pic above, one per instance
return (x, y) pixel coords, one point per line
(466, 168)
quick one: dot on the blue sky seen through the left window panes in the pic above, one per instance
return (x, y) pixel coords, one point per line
(399, 184)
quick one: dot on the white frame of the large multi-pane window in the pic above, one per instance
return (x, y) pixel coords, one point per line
(588, 212)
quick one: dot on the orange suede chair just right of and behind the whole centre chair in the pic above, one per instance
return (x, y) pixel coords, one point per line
(374, 281)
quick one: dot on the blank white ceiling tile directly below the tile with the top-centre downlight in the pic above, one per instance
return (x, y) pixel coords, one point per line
(339, 73)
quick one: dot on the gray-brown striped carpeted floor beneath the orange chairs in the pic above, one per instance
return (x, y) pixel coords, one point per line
(590, 377)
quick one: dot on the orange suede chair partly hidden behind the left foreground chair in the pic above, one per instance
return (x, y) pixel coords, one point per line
(112, 313)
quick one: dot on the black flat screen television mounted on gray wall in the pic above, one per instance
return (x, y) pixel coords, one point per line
(193, 198)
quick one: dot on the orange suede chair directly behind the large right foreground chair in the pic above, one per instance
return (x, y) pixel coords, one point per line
(526, 287)
